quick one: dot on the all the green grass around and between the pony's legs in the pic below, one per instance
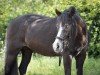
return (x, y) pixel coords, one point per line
(49, 66)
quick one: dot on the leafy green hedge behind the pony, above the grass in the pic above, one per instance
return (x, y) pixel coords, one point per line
(88, 9)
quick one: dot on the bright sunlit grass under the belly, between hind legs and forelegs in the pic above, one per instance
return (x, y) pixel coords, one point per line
(45, 66)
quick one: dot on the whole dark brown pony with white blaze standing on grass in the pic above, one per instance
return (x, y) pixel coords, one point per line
(37, 34)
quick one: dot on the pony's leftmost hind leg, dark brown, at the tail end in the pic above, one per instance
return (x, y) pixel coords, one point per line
(11, 61)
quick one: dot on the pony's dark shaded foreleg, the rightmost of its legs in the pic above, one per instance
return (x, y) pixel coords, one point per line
(79, 62)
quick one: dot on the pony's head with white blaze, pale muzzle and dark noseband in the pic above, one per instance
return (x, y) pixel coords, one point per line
(66, 32)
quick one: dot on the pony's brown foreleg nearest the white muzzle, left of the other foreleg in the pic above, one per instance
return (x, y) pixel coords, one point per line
(67, 59)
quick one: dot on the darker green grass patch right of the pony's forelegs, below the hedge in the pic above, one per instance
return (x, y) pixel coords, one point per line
(92, 67)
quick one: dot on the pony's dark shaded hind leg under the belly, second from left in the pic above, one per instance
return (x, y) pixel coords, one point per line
(26, 56)
